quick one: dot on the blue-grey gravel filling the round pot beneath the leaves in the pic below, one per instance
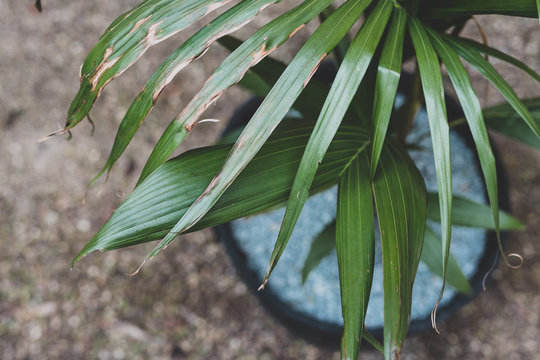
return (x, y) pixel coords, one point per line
(319, 297)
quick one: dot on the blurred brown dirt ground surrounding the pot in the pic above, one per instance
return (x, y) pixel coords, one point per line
(188, 304)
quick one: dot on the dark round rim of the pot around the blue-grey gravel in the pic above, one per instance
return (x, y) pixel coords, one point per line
(329, 334)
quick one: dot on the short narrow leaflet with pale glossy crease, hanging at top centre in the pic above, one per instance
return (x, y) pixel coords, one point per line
(388, 74)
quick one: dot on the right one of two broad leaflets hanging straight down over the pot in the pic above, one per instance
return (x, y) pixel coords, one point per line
(400, 200)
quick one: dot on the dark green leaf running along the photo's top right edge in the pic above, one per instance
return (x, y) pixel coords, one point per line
(444, 9)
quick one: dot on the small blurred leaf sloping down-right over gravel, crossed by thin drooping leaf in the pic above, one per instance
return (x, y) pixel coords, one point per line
(431, 256)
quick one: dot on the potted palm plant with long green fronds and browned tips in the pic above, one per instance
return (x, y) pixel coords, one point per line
(350, 133)
